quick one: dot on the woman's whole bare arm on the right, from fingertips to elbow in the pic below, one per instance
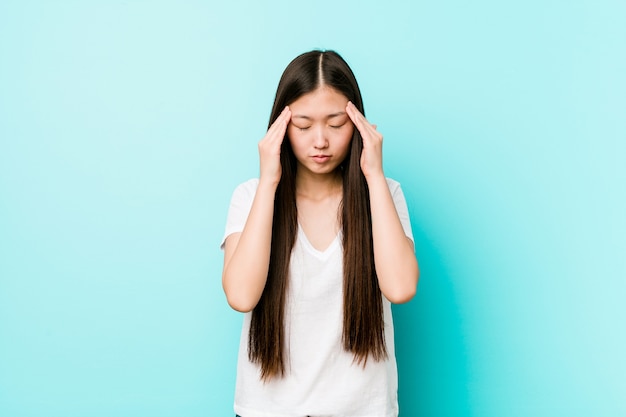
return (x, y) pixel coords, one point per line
(394, 257)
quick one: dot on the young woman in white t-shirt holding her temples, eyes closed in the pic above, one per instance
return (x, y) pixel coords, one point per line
(315, 250)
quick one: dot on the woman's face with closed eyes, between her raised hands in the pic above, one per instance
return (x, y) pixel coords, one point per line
(320, 130)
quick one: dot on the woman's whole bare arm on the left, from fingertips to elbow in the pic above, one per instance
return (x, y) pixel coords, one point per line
(247, 254)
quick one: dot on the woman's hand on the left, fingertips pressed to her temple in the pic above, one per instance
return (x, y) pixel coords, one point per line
(269, 148)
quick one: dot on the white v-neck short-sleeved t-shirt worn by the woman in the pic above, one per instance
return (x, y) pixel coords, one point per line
(321, 378)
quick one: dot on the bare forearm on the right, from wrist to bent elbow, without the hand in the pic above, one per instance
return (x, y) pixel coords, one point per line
(394, 256)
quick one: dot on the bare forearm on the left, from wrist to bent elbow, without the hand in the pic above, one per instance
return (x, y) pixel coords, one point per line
(247, 255)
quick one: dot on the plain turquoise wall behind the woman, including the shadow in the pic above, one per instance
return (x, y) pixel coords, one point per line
(125, 126)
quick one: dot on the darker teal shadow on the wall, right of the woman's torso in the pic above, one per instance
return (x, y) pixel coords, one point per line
(430, 349)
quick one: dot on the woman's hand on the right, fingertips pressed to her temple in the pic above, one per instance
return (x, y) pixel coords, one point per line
(372, 155)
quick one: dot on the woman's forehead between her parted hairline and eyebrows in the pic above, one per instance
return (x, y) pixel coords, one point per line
(319, 103)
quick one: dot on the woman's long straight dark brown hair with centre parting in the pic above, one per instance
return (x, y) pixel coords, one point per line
(363, 320)
